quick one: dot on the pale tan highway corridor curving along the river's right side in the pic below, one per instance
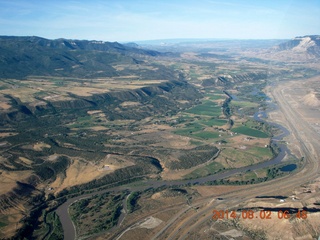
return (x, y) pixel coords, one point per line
(309, 142)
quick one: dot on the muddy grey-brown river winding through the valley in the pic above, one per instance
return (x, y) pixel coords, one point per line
(67, 225)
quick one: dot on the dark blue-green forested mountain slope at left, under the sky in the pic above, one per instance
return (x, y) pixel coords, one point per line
(24, 56)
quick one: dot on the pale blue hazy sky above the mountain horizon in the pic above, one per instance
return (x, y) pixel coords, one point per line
(134, 20)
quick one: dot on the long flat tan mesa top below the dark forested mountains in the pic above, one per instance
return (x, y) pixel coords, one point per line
(58, 89)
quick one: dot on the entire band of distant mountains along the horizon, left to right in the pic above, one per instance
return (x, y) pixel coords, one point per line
(25, 56)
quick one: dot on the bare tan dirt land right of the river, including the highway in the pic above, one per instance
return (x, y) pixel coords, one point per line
(302, 189)
